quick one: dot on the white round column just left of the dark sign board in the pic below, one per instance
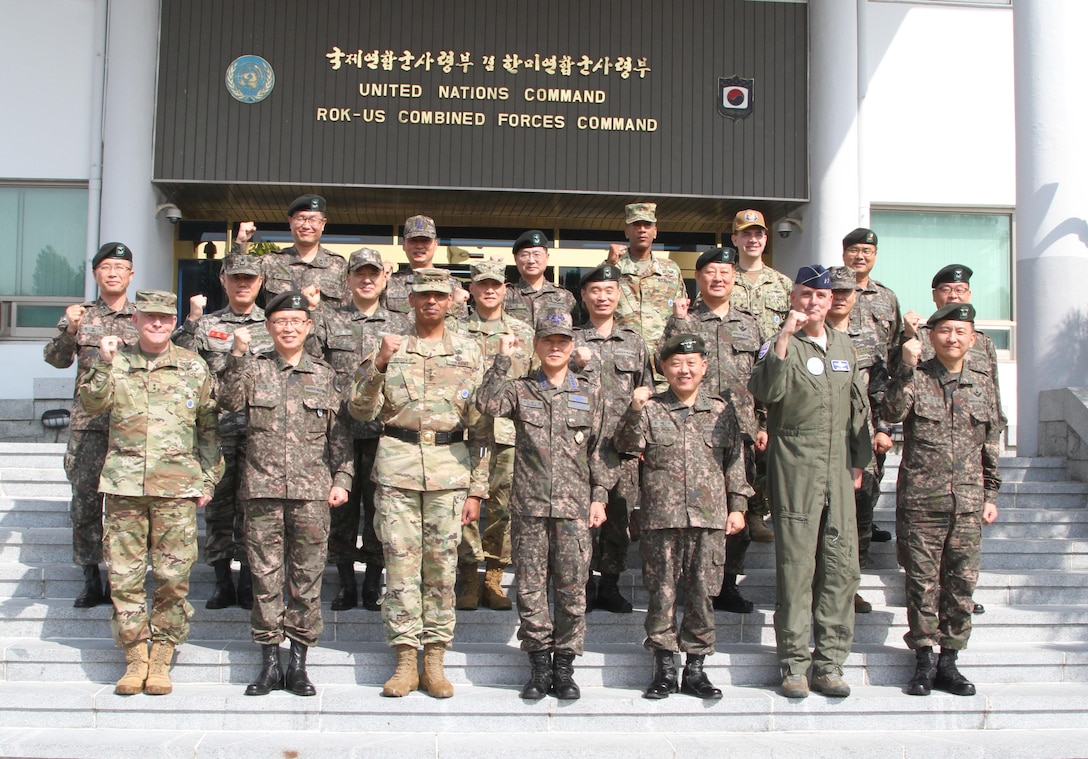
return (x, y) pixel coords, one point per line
(129, 200)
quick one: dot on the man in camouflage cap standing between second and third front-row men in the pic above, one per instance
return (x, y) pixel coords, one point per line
(348, 335)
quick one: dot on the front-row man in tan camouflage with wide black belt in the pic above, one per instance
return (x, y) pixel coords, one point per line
(430, 483)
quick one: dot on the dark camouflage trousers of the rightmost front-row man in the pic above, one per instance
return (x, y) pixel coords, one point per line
(941, 553)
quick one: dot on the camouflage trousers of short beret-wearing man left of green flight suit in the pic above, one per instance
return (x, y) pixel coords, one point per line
(693, 561)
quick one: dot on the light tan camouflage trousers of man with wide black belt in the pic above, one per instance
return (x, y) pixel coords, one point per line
(419, 532)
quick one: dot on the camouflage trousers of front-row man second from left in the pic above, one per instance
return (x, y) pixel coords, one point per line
(287, 542)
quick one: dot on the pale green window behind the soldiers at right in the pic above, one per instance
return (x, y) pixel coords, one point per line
(914, 245)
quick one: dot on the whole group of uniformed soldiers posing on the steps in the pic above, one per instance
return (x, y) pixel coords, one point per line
(368, 403)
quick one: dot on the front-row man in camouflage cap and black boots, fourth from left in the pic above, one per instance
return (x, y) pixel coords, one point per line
(561, 484)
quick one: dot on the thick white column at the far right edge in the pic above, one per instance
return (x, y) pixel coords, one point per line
(1052, 204)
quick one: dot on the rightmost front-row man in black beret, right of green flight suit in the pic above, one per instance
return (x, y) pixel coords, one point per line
(948, 490)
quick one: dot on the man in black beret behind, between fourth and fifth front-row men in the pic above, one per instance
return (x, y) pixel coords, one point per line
(616, 362)
